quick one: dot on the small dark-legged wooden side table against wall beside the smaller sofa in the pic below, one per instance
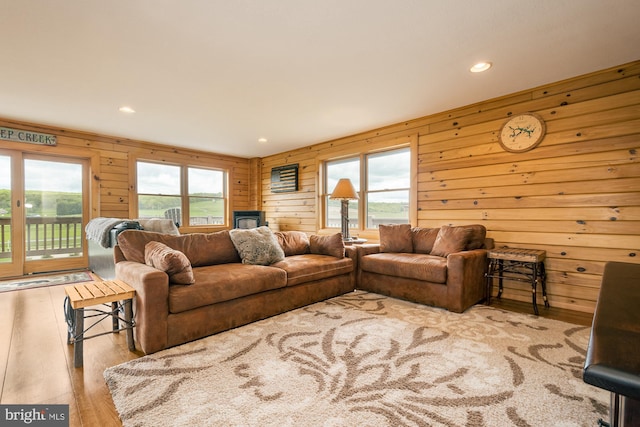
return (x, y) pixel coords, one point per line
(524, 265)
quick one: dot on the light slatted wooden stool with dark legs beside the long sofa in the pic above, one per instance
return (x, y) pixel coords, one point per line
(82, 295)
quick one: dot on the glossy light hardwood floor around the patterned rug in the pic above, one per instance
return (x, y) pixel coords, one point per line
(36, 364)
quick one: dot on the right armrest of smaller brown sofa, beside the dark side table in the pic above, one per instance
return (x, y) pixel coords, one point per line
(465, 278)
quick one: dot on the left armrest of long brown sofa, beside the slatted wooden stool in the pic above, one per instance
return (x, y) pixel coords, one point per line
(151, 303)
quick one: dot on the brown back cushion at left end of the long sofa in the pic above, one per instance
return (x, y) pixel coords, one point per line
(200, 248)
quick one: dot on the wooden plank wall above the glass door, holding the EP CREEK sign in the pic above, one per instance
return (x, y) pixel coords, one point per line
(113, 166)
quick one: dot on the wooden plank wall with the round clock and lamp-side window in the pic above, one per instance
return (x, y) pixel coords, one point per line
(577, 195)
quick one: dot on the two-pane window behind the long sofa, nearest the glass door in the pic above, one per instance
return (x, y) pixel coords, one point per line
(160, 193)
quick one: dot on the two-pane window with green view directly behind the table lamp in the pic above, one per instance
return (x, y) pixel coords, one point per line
(383, 182)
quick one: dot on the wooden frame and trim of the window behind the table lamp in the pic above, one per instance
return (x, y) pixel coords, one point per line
(409, 141)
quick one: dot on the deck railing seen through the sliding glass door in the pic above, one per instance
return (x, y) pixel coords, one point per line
(44, 236)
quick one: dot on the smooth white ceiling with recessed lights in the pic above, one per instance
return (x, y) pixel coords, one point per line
(216, 75)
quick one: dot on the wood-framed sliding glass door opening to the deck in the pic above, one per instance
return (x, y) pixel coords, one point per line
(43, 206)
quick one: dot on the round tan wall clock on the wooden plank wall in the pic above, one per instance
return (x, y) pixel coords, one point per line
(522, 132)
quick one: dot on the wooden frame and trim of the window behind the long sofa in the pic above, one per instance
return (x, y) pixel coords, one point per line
(184, 195)
